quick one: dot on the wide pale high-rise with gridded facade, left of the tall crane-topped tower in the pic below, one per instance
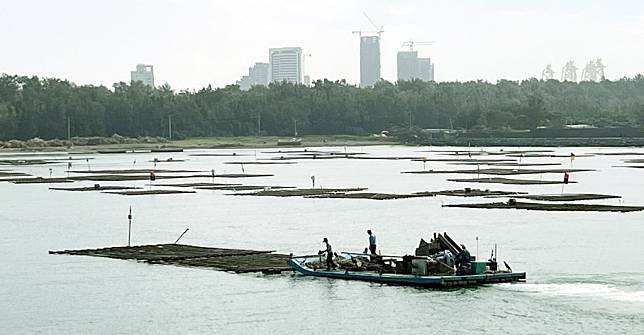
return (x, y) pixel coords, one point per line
(285, 64)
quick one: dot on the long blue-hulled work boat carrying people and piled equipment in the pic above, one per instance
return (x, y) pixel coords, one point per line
(432, 266)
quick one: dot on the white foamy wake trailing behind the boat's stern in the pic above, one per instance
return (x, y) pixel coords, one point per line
(579, 290)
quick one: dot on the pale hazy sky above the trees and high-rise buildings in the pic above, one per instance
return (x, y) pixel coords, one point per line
(193, 43)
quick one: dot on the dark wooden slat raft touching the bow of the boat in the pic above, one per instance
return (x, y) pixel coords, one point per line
(236, 260)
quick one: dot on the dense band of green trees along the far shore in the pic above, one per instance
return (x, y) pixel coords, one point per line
(34, 107)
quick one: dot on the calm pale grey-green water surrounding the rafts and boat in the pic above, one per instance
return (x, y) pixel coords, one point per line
(585, 270)
